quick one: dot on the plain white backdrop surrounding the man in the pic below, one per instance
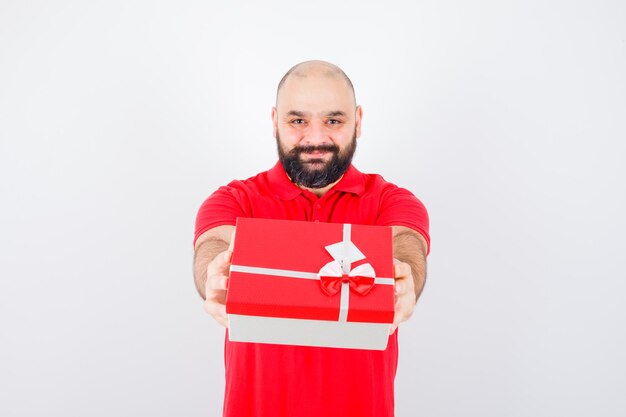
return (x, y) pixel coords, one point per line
(506, 118)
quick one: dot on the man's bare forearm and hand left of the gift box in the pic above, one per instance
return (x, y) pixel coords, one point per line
(213, 250)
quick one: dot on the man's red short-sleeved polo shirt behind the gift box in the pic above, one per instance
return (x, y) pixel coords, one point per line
(265, 380)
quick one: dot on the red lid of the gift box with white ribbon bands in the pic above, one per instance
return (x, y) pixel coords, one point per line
(276, 268)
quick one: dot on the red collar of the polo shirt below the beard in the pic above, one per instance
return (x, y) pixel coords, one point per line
(352, 181)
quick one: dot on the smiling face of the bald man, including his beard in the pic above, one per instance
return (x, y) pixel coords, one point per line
(316, 124)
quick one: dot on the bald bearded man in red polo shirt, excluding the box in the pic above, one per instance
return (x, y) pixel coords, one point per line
(316, 123)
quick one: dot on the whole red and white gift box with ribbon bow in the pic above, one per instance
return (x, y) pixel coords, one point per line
(311, 284)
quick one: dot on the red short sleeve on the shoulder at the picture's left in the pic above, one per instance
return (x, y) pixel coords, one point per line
(219, 209)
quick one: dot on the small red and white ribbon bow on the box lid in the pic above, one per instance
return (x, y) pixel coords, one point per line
(361, 278)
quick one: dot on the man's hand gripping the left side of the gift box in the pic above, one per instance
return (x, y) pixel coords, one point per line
(216, 285)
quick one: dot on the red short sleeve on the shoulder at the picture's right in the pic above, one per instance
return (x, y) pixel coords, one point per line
(399, 207)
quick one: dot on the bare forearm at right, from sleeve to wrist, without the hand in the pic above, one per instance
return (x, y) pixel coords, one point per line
(410, 247)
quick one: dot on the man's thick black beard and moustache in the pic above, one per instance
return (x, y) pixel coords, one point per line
(315, 173)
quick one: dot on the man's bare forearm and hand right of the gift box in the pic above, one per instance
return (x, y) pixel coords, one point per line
(409, 251)
